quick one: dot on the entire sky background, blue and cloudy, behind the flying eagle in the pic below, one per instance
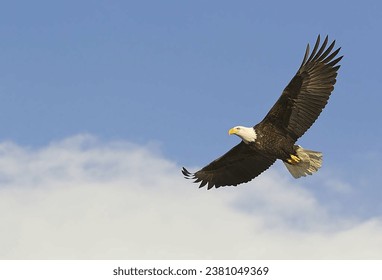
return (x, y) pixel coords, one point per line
(103, 102)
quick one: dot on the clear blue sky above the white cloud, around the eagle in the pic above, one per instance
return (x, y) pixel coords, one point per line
(176, 75)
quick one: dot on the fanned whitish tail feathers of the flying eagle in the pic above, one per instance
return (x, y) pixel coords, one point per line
(310, 162)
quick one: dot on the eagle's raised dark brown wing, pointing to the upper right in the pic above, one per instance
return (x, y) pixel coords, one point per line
(308, 92)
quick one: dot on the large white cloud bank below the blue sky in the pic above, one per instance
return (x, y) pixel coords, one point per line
(80, 198)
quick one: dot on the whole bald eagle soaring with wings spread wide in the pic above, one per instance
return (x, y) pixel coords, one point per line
(275, 136)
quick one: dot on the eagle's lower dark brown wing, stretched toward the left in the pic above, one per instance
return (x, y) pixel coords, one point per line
(239, 165)
